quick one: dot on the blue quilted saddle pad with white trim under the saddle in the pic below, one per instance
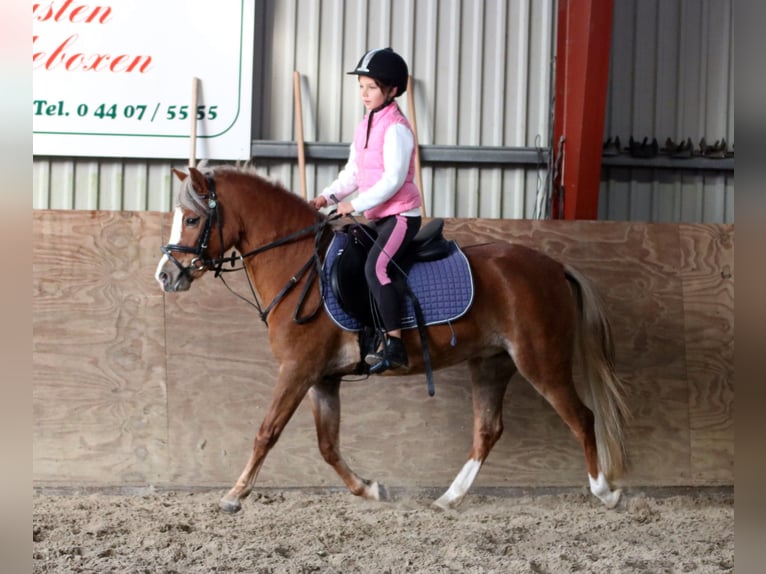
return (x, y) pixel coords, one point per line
(444, 288)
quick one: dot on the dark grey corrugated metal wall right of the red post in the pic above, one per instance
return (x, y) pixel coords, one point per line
(671, 76)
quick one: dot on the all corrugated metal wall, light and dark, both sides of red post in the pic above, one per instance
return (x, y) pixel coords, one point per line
(482, 77)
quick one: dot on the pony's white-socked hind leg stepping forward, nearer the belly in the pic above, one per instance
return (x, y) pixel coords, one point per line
(489, 378)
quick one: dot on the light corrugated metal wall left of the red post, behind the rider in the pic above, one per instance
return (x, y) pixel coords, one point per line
(481, 74)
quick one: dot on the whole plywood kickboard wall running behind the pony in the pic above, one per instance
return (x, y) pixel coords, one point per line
(120, 367)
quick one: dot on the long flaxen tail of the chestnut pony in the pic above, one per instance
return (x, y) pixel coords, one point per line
(602, 389)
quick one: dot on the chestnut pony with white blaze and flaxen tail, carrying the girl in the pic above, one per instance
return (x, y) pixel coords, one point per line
(530, 314)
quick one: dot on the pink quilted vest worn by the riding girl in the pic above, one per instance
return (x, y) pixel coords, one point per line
(370, 163)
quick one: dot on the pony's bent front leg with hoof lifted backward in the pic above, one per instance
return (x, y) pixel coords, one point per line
(325, 404)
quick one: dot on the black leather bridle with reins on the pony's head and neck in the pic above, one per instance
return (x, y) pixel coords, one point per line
(200, 262)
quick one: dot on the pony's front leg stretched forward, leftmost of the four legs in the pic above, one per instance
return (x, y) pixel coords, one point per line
(288, 393)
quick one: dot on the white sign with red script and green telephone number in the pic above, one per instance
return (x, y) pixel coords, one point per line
(115, 79)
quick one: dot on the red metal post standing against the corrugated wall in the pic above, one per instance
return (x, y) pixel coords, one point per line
(582, 74)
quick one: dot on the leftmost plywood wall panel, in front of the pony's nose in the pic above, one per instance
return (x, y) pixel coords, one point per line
(98, 349)
